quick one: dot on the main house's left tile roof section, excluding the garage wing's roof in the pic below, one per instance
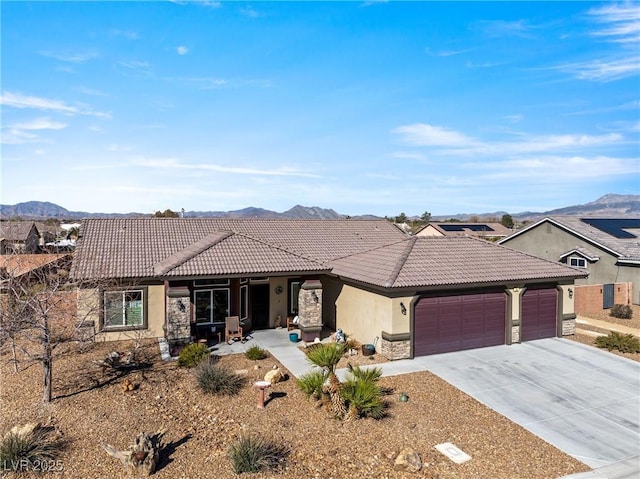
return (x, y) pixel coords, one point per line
(153, 247)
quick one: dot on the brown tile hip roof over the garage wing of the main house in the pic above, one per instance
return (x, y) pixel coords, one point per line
(444, 261)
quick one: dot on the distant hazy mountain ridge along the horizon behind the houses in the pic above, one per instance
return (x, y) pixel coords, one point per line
(607, 205)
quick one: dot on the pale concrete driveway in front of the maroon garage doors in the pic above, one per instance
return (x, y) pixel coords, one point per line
(584, 401)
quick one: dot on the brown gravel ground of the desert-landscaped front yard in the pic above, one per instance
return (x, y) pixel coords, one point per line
(91, 410)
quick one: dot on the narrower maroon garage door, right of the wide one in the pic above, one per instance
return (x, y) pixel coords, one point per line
(539, 314)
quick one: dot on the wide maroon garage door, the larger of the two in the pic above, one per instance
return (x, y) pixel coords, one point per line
(452, 323)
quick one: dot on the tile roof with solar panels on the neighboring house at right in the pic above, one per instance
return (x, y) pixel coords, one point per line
(627, 249)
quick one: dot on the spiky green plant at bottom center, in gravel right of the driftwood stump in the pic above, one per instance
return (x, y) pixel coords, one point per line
(255, 454)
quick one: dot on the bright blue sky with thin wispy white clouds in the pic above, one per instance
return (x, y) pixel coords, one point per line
(363, 107)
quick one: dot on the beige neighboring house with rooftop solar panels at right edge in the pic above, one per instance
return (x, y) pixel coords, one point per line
(607, 248)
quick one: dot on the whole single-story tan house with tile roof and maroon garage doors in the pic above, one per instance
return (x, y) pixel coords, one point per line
(180, 278)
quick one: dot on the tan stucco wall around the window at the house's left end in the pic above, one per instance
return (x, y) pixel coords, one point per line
(89, 310)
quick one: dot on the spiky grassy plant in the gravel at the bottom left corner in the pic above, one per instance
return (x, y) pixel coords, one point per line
(30, 445)
